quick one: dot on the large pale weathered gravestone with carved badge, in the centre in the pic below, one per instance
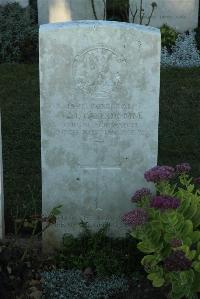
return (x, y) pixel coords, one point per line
(99, 84)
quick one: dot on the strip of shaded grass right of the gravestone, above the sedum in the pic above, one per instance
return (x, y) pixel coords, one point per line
(179, 125)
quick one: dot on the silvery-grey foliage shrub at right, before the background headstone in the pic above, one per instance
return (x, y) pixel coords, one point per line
(184, 53)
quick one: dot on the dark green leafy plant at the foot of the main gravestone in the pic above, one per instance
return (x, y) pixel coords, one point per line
(105, 255)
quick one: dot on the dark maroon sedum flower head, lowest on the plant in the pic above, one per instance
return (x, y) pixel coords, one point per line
(177, 261)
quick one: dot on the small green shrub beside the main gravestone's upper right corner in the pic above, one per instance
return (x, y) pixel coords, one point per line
(168, 36)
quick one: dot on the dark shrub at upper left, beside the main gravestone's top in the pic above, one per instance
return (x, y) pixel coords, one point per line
(18, 34)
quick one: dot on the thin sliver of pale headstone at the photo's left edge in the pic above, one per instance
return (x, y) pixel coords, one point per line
(1, 189)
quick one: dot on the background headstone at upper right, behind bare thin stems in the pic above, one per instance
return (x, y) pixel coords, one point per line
(179, 14)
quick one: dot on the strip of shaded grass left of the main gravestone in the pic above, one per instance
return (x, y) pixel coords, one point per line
(19, 94)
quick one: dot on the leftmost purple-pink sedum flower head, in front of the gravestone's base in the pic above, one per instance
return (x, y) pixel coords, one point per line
(135, 217)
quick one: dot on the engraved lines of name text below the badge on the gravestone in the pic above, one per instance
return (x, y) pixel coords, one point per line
(100, 120)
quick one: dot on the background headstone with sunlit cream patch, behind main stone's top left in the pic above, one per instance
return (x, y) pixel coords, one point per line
(51, 11)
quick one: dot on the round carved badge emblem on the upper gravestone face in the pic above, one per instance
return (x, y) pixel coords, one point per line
(97, 72)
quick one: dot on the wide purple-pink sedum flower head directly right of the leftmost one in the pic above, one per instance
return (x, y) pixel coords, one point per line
(164, 202)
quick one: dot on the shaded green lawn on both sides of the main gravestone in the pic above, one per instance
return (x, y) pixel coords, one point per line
(179, 130)
